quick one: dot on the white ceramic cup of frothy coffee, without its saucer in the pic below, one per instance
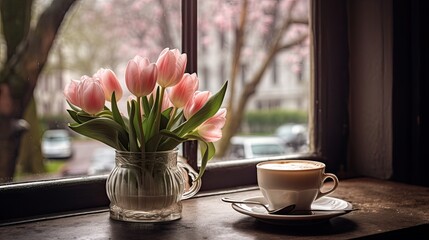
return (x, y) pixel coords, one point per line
(299, 182)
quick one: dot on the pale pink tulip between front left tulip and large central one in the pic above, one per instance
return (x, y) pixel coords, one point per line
(110, 83)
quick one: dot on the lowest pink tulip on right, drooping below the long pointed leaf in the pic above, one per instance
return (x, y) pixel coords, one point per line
(211, 129)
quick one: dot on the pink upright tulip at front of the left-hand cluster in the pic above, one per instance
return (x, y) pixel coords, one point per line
(91, 95)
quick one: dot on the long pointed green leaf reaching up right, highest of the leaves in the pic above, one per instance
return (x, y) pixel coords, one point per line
(207, 111)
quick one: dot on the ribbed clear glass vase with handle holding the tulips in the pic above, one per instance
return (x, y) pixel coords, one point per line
(149, 187)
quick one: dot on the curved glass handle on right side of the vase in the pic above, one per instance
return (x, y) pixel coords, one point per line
(190, 175)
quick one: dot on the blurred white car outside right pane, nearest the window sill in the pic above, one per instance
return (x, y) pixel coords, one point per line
(244, 147)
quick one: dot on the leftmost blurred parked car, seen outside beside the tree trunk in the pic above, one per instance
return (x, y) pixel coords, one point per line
(57, 144)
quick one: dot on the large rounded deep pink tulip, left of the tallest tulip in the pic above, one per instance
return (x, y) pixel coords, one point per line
(140, 76)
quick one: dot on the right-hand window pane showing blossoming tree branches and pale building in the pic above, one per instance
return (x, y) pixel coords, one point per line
(262, 49)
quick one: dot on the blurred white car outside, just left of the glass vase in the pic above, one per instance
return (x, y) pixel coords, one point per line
(102, 161)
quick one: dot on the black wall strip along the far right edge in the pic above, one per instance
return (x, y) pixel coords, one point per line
(410, 91)
